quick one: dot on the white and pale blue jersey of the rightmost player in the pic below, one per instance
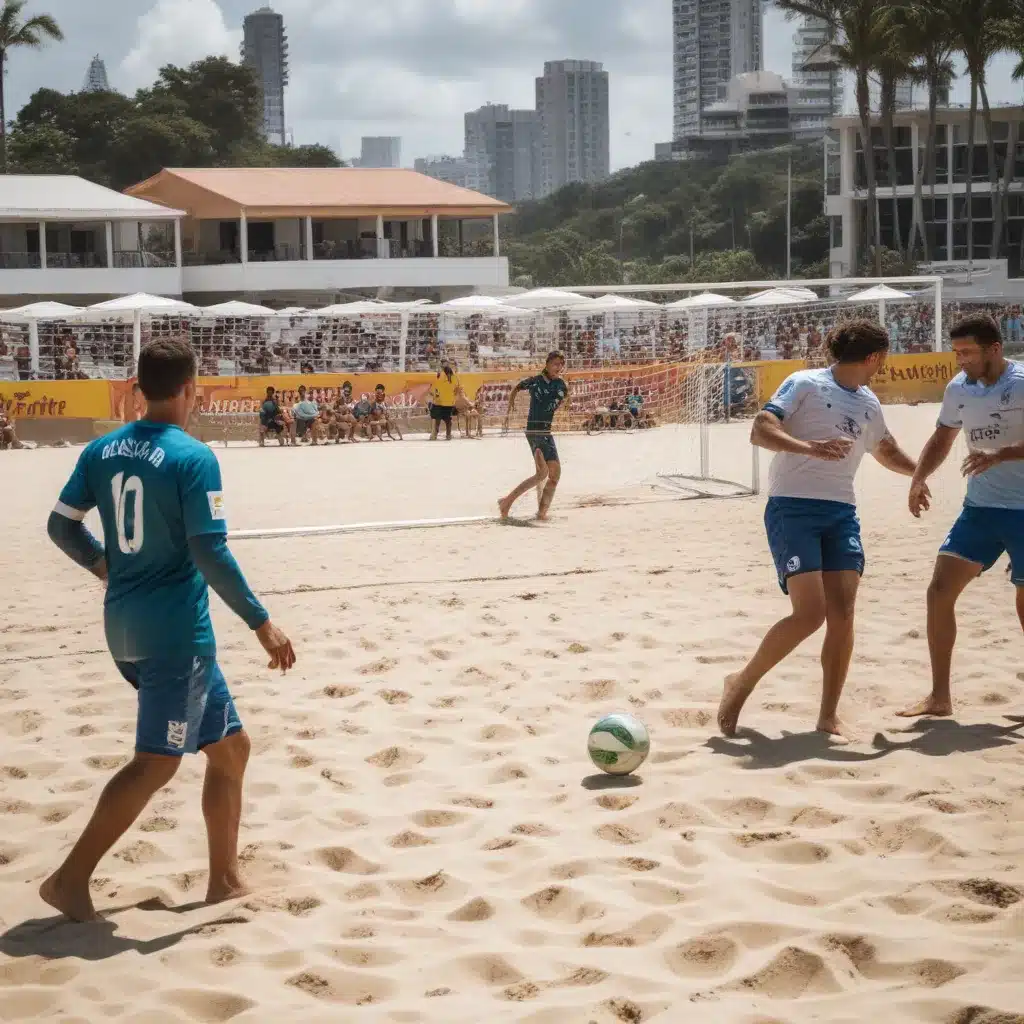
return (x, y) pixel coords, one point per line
(992, 417)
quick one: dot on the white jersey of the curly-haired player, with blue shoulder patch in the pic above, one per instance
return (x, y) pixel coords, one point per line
(815, 407)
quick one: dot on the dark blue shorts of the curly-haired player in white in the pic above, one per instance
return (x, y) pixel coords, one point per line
(807, 535)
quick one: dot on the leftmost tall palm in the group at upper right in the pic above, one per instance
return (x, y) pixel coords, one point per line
(860, 34)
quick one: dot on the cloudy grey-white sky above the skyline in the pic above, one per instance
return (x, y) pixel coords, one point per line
(408, 68)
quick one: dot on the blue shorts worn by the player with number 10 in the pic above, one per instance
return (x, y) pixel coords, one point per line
(184, 704)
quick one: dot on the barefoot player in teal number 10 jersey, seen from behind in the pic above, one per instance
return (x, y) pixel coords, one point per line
(161, 503)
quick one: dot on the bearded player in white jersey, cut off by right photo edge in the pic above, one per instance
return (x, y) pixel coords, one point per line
(987, 402)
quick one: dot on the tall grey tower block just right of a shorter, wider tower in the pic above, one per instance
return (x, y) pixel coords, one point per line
(573, 106)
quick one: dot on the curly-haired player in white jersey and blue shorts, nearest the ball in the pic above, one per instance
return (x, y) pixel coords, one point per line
(821, 423)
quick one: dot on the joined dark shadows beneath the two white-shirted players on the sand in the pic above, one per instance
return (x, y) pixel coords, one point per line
(930, 738)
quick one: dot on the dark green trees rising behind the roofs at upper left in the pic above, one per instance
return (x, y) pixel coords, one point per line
(206, 115)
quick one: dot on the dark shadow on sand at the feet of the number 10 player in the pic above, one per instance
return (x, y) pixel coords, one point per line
(59, 938)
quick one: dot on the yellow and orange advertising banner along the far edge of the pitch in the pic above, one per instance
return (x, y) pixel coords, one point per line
(913, 378)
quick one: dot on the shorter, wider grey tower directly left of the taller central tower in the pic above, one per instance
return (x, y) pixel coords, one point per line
(503, 153)
